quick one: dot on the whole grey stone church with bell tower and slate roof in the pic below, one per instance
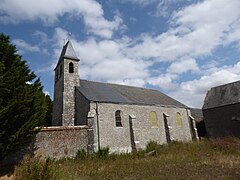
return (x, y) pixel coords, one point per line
(123, 118)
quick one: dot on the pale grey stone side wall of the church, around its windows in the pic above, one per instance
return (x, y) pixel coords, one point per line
(118, 139)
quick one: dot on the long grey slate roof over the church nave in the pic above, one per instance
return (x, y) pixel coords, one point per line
(105, 92)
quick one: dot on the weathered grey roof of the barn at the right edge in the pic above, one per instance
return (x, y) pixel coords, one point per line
(226, 94)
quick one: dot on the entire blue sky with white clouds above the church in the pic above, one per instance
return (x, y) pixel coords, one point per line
(179, 47)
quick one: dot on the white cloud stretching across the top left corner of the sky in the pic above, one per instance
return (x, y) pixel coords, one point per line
(50, 11)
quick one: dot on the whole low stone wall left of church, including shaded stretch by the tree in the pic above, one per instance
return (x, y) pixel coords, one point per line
(54, 142)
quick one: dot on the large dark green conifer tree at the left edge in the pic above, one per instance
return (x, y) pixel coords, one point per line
(22, 102)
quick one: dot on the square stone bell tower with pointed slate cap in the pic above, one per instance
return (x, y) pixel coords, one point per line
(66, 79)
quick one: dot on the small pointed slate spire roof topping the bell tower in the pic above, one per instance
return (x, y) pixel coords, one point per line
(67, 52)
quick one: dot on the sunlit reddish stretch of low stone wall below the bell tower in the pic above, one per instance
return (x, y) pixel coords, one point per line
(59, 141)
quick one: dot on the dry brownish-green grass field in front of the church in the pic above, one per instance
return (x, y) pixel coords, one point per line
(205, 159)
